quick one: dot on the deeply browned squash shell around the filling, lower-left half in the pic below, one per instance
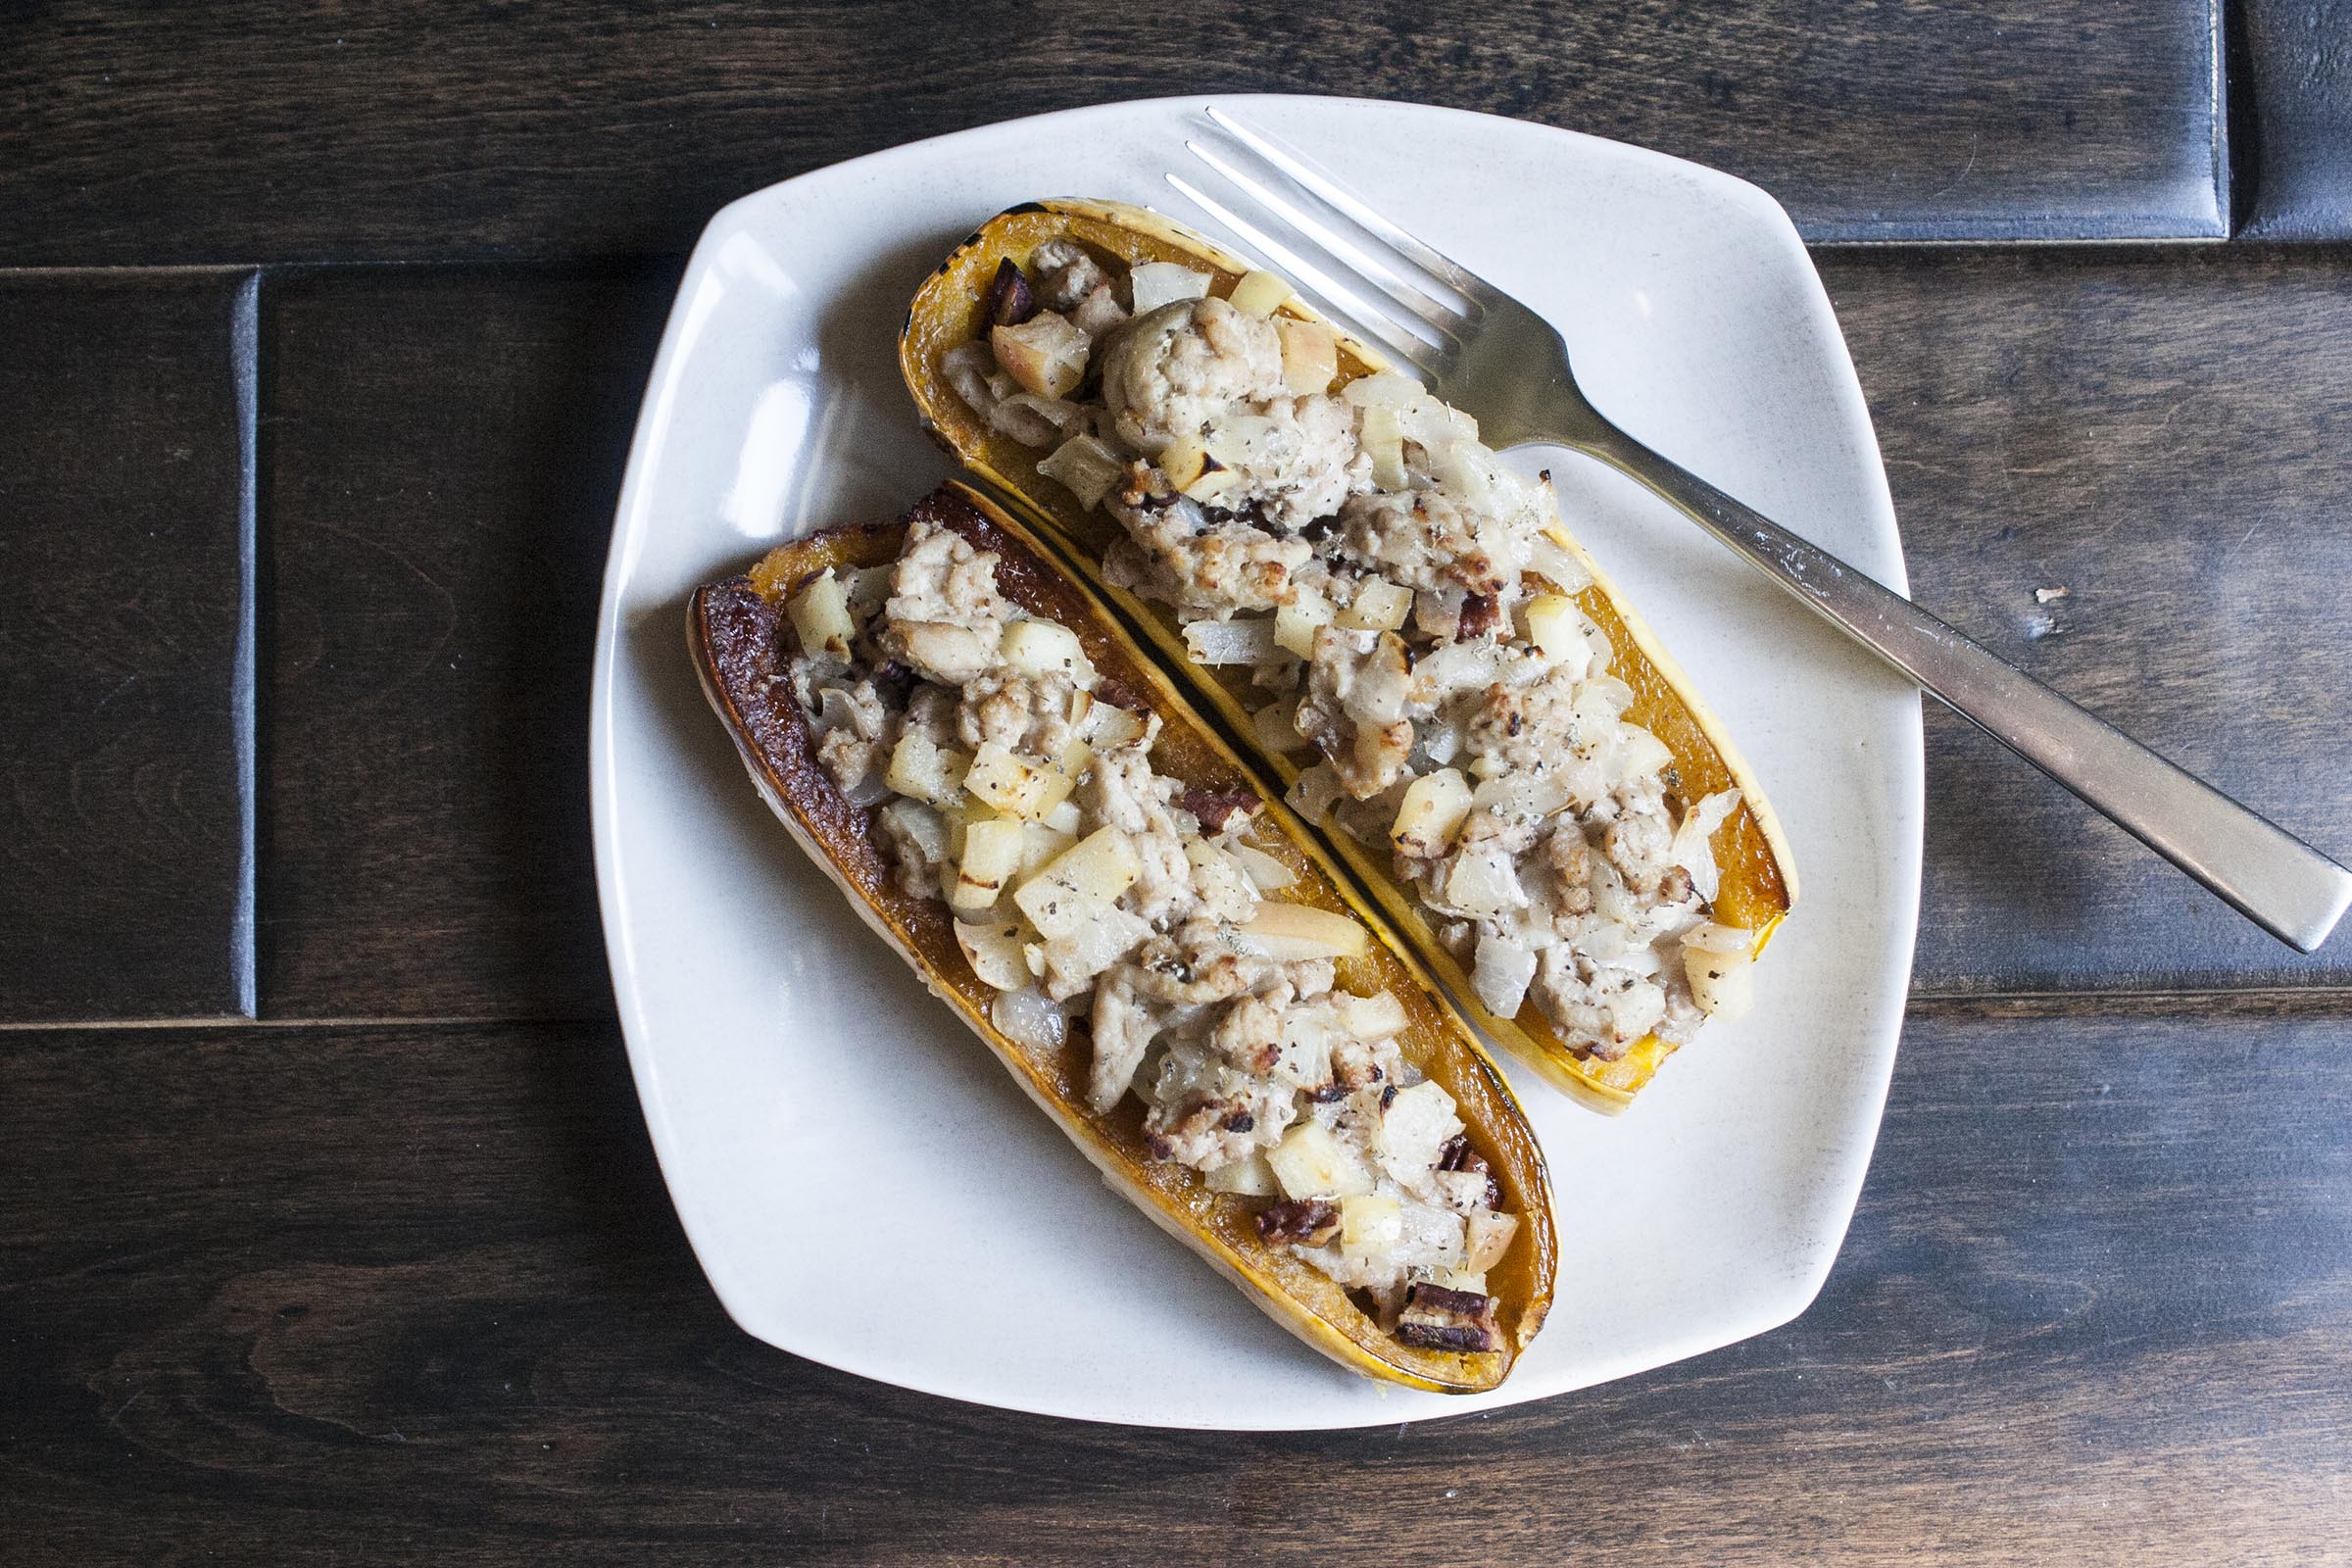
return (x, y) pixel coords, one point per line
(740, 643)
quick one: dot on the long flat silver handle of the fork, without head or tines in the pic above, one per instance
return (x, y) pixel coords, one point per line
(2261, 871)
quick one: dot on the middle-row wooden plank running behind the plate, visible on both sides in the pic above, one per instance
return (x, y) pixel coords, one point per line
(443, 450)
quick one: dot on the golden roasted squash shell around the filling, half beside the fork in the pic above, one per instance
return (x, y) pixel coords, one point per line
(1758, 869)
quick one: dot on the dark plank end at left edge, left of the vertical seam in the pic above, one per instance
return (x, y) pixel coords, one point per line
(121, 608)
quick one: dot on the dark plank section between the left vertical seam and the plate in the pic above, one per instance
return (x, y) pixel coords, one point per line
(441, 464)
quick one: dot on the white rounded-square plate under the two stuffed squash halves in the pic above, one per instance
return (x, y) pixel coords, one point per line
(855, 1172)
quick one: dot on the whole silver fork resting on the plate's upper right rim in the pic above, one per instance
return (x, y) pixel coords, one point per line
(1509, 368)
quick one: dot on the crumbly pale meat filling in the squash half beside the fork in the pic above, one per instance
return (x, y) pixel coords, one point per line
(1403, 608)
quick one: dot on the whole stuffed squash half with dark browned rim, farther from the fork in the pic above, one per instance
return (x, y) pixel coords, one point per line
(1024, 808)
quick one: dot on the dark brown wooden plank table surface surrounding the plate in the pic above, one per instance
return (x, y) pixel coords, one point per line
(330, 1231)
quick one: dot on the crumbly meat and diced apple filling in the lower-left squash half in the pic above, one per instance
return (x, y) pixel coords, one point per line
(1100, 894)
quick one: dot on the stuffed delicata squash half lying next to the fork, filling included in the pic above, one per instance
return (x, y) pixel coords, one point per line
(1387, 617)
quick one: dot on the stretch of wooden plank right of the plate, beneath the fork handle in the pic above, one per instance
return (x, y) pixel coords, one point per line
(2170, 441)
